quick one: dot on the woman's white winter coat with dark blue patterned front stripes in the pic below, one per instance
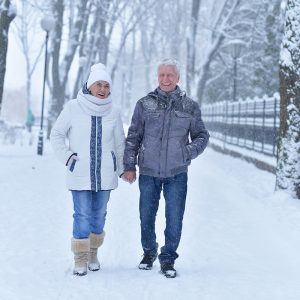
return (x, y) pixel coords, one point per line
(98, 142)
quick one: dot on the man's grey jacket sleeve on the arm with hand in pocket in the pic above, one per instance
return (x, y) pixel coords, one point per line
(198, 133)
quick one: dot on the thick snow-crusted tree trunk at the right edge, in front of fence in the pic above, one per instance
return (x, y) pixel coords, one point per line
(288, 164)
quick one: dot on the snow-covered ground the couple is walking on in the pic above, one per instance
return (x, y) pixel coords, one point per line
(240, 240)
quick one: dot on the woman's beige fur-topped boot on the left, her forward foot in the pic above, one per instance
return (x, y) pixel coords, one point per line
(80, 248)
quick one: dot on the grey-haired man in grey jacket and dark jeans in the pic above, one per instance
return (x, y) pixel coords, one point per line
(166, 133)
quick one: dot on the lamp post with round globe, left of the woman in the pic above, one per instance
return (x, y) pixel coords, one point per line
(47, 24)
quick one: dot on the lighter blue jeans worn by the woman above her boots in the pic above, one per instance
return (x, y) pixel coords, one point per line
(89, 212)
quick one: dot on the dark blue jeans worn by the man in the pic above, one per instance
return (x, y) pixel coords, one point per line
(174, 191)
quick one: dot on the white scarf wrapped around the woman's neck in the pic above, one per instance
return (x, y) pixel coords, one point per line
(94, 106)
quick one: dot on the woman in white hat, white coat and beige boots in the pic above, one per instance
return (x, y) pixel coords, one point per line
(94, 160)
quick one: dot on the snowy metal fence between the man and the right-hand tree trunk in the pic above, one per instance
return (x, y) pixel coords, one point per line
(250, 123)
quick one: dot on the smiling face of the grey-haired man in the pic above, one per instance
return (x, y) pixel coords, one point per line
(167, 78)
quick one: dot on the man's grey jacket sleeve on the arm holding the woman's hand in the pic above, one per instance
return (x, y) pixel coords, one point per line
(134, 138)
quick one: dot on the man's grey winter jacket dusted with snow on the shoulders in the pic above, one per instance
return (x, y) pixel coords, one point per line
(166, 133)
